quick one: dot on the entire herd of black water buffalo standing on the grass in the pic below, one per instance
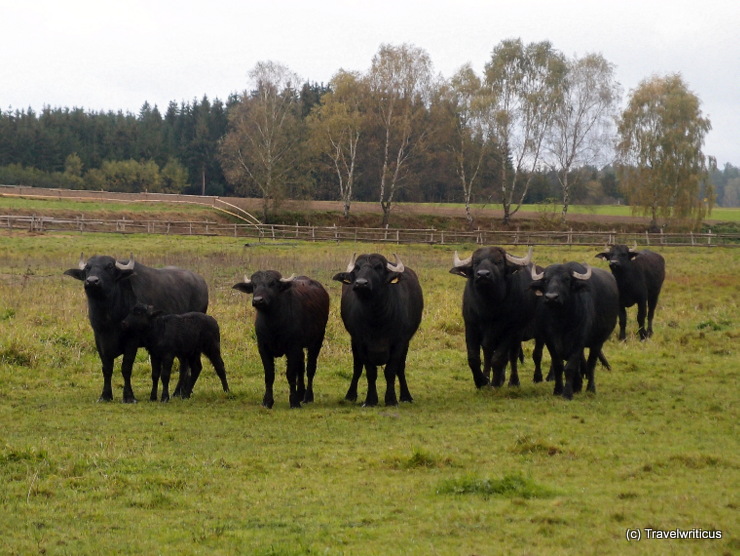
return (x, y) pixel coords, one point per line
(507, 300)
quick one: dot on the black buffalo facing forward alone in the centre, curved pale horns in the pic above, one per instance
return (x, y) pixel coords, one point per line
(381, 309)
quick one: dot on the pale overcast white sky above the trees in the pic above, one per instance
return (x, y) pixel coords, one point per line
(115, 55)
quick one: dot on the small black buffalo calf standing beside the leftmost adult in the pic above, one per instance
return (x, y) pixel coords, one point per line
(184, 336)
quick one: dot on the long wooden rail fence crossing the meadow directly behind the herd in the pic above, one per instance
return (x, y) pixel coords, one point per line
(271, 233)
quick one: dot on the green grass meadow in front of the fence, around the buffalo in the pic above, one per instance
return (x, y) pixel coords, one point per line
(459, 471)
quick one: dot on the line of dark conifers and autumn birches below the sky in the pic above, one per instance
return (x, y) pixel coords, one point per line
(534, 126)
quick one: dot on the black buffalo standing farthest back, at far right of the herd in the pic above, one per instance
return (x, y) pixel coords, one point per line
(640, 276)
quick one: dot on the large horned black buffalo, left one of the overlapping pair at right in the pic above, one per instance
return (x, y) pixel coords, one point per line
(498, 309)
